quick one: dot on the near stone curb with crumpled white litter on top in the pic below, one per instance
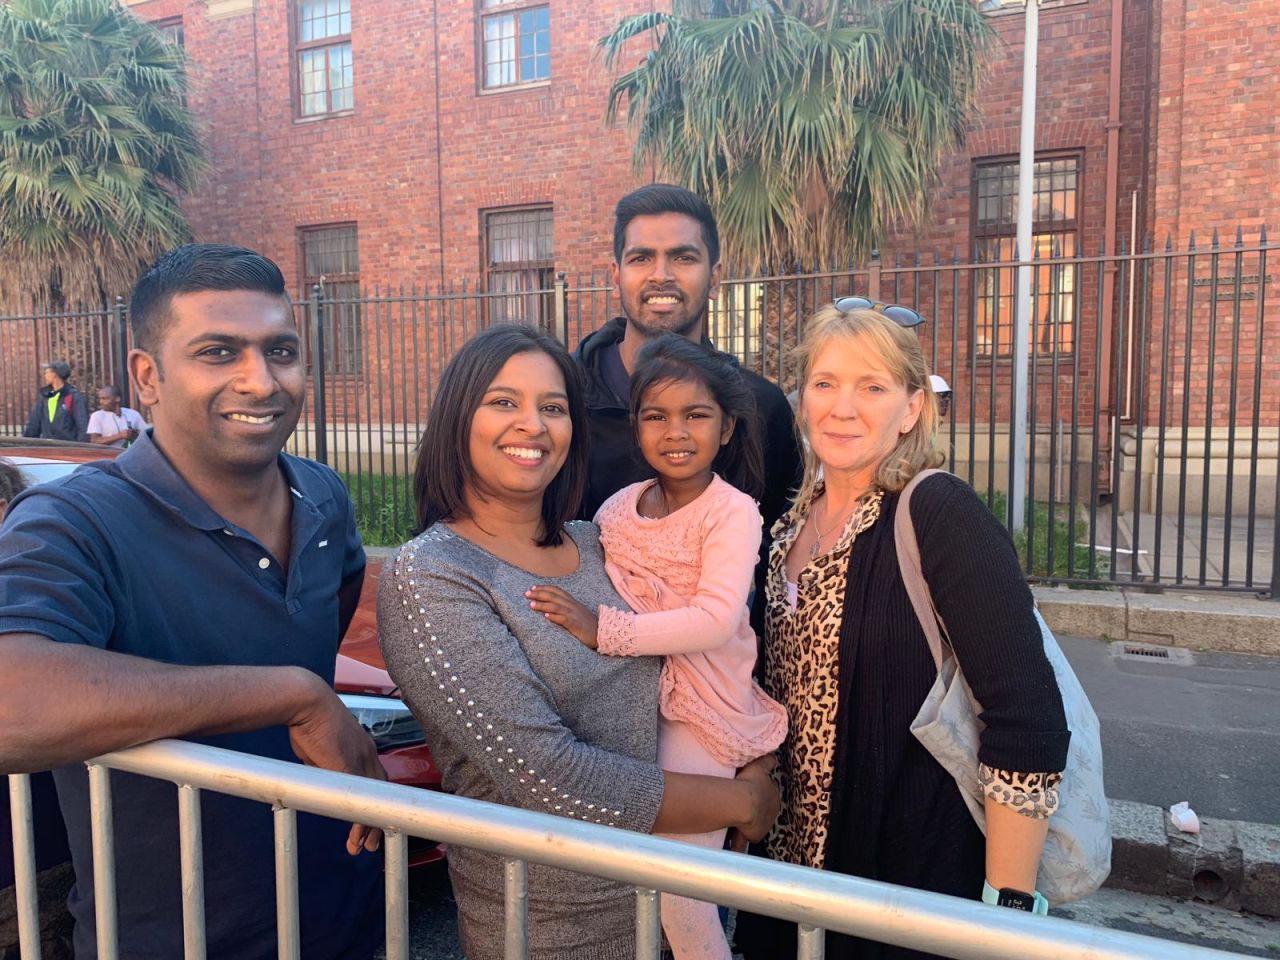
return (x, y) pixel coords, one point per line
(1231, 863)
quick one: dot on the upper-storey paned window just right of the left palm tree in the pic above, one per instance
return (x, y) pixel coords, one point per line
(326, 79)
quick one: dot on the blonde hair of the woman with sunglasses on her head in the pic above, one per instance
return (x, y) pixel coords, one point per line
(899, 350)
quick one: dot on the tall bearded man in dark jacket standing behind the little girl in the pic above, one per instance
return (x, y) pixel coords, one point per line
(666, 268)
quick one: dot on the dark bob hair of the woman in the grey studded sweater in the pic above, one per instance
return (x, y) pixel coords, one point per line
(445, 472)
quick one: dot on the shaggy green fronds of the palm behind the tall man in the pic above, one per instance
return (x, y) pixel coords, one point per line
(811, 126)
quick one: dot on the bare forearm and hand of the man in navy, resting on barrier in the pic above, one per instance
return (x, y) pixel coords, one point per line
(62, 703)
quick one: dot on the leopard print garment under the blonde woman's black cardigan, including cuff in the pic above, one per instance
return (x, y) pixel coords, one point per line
(803, 674)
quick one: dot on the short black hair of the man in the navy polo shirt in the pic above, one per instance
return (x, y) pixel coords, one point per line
(190, 269)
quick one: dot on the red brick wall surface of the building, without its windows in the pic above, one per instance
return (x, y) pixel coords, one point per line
(424, 152)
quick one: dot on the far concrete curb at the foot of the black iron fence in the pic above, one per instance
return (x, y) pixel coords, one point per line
(1196, 621)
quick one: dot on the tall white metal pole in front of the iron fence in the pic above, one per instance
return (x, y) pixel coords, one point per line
(1023, 309)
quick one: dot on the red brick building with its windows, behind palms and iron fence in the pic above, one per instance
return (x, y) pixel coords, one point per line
(386, 144)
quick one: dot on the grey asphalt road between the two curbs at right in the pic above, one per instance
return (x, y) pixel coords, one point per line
(1206, 732)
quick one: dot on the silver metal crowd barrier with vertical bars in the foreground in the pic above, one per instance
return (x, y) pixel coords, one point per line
(816, 900)
